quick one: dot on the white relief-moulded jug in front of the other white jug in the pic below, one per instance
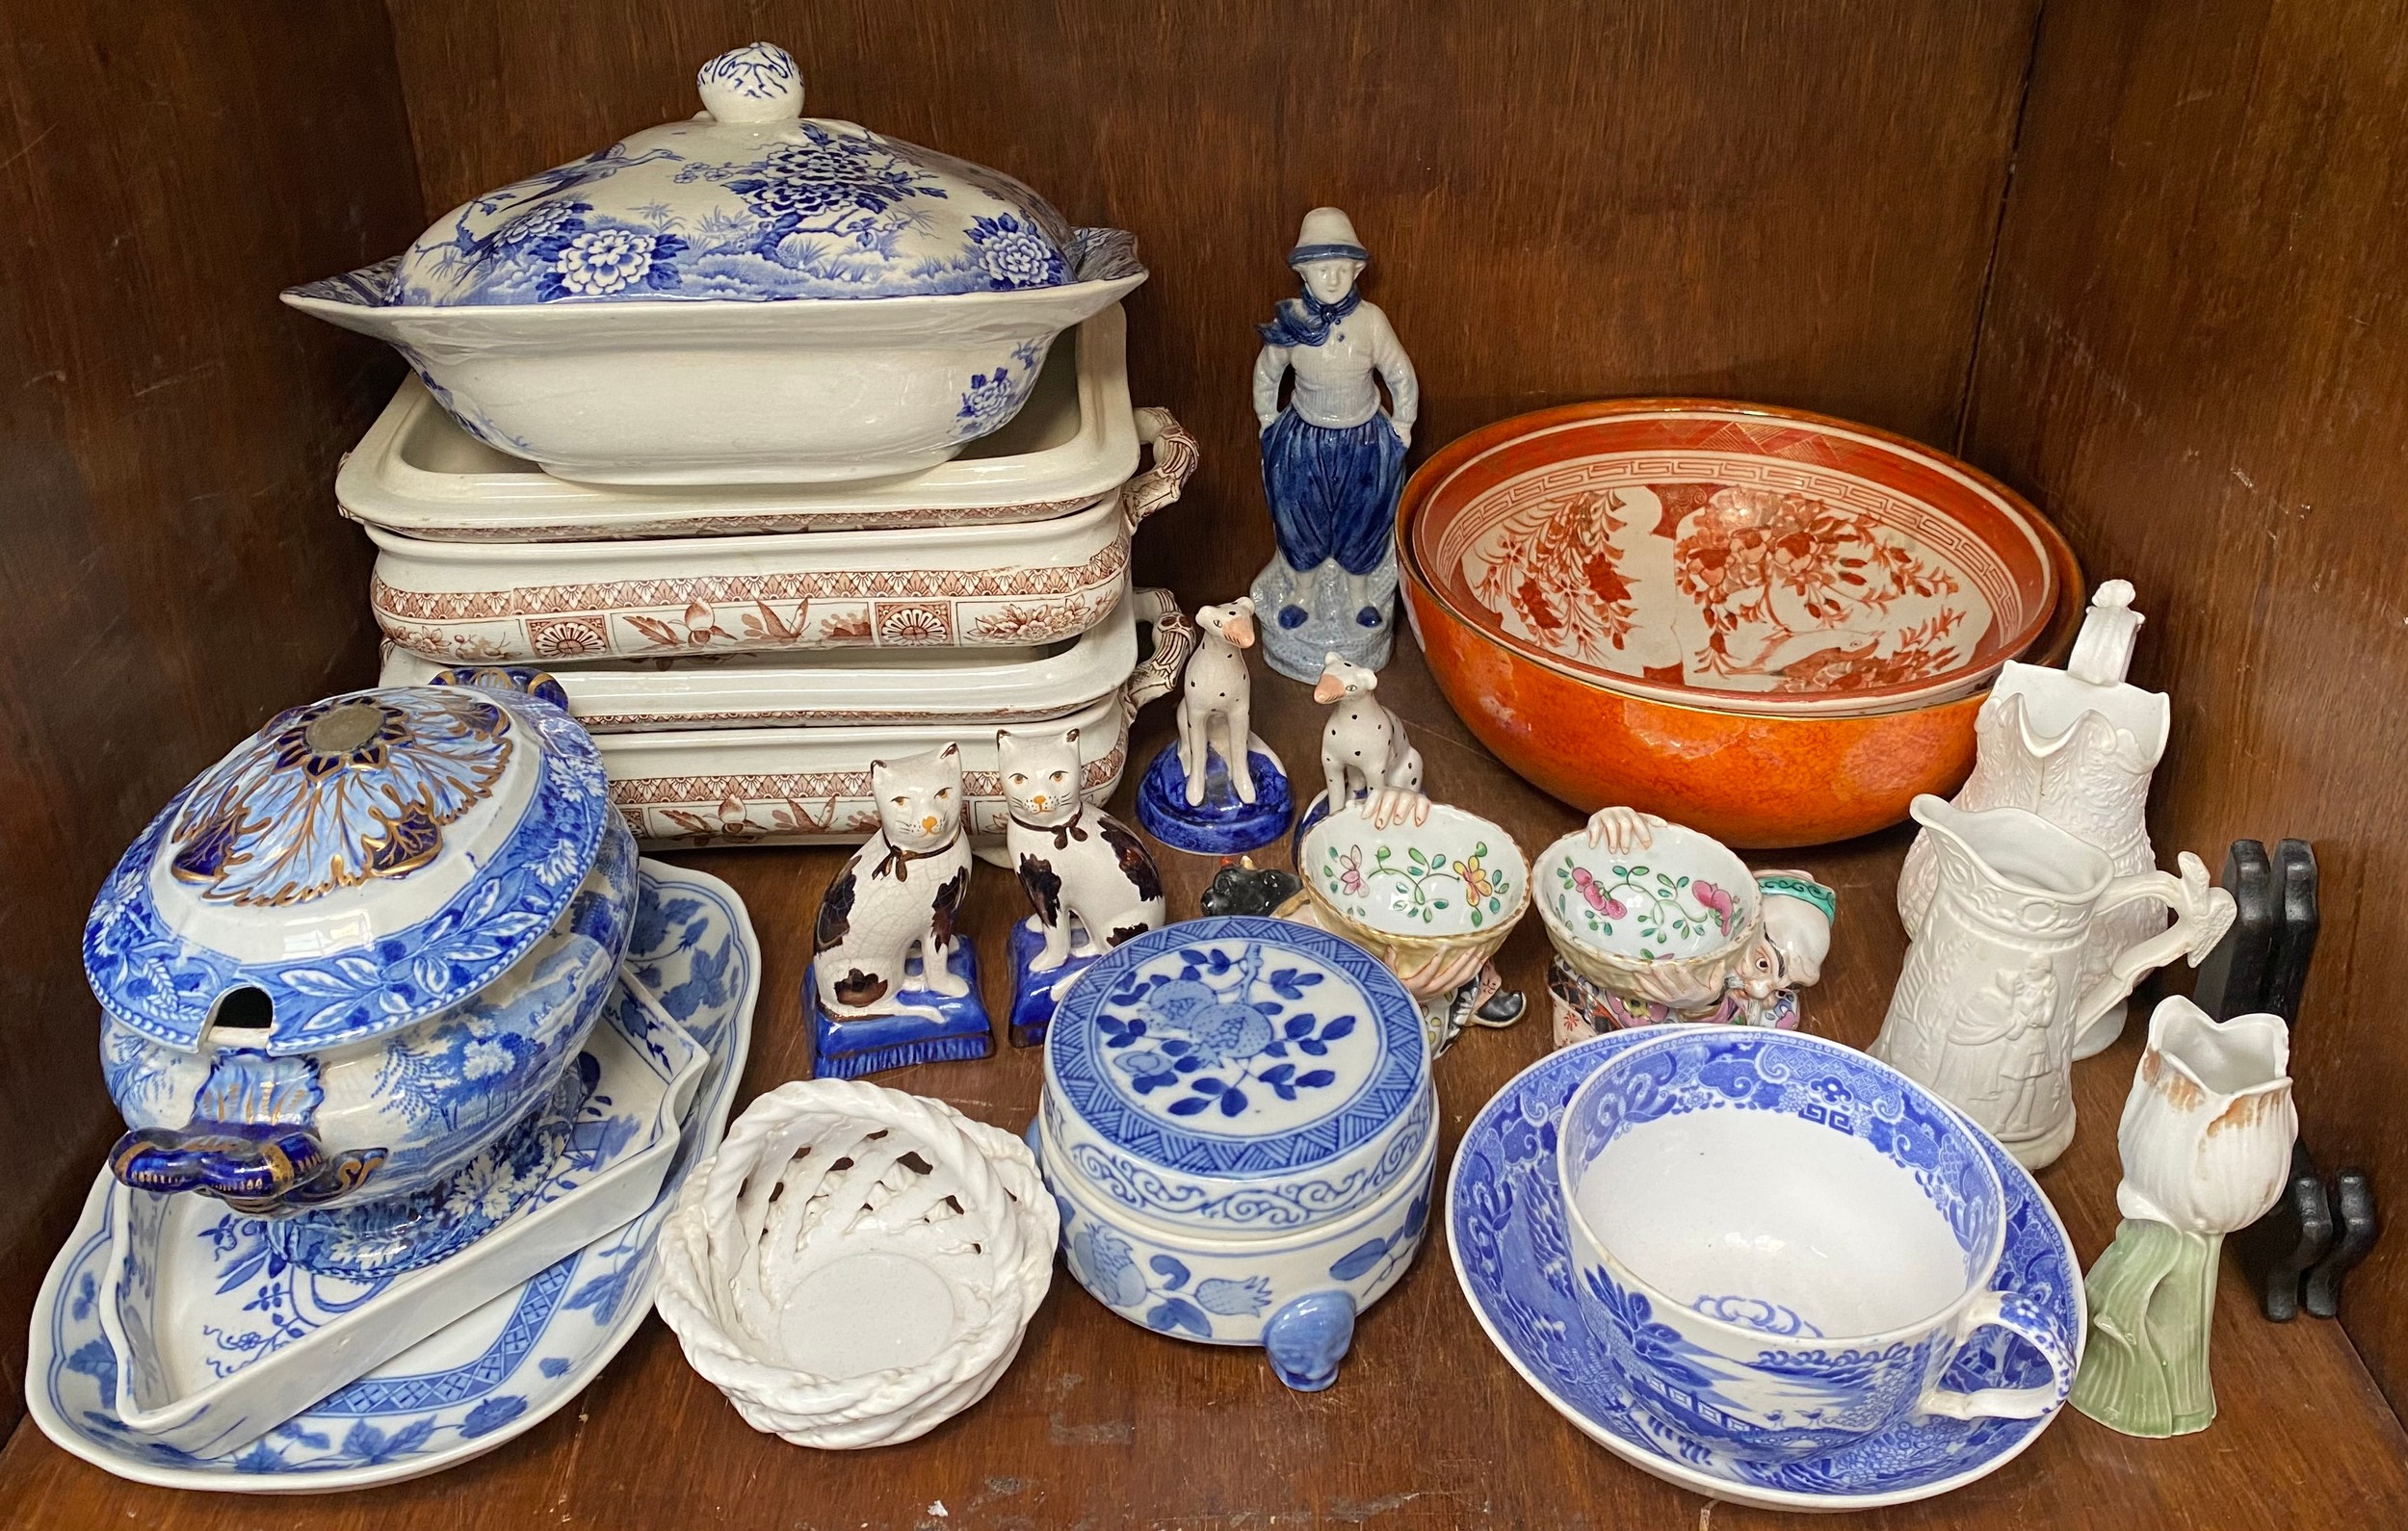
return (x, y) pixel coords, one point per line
(1990, 1000)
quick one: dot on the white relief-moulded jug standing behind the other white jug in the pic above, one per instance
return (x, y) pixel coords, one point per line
(2077, 747)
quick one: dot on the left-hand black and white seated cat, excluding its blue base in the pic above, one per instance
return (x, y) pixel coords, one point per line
(902, 889)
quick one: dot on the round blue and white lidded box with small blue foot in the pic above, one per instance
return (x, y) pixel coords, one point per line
(1241, 1128)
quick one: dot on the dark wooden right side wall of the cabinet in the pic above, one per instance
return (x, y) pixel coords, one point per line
(2197, 360)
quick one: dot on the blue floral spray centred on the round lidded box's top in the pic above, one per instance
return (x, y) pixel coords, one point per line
(1217, 1036)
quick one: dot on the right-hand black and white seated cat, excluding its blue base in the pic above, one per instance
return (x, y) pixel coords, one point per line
(1078, 863)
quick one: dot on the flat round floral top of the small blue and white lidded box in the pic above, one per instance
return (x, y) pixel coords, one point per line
(1237, 1048)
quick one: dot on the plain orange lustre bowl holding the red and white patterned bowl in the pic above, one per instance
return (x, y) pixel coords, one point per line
(1747, 779)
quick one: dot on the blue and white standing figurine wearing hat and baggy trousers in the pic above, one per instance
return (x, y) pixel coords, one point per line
(1333, 461)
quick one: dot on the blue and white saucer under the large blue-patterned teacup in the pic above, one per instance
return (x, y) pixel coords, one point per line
(1506, 1234)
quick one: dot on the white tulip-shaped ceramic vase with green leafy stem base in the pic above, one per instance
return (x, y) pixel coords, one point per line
(2207, 1149)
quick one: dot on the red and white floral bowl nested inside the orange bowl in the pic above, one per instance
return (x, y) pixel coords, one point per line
(1735, 557)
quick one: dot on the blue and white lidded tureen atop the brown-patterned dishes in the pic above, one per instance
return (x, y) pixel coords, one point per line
(748, 297)
